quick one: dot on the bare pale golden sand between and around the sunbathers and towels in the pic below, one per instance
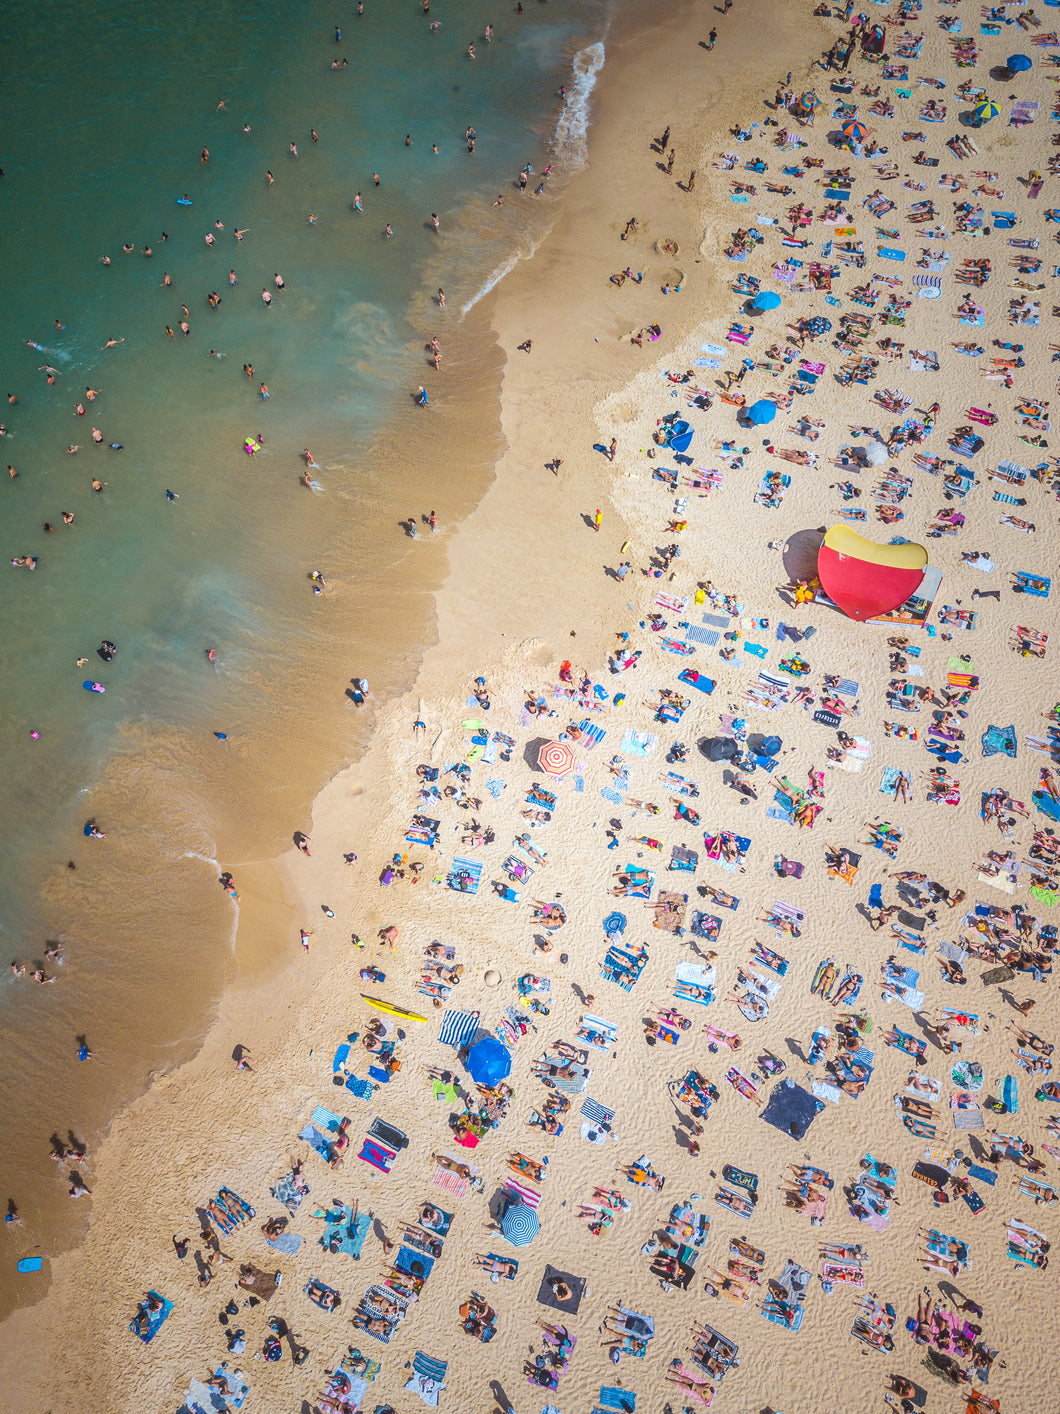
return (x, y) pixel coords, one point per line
(526, 590)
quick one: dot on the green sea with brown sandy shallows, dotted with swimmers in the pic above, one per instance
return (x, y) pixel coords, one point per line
(108, 110)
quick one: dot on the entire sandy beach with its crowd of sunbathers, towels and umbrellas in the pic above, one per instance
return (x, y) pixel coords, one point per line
(599, 923)
